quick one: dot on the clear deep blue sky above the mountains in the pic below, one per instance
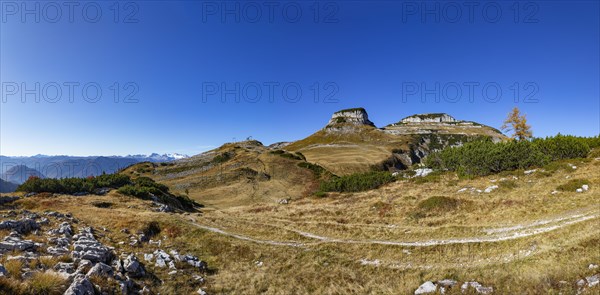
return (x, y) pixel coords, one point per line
(365, 53)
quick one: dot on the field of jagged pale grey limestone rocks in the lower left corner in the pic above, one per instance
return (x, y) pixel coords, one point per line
(93, 262)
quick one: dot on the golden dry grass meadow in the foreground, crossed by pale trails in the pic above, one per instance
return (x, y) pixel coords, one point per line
(530, 265)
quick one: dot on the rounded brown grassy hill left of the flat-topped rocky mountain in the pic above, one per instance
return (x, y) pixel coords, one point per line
(228, 183)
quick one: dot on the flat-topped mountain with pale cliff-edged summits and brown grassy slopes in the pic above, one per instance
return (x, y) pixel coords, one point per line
(350, 142)
